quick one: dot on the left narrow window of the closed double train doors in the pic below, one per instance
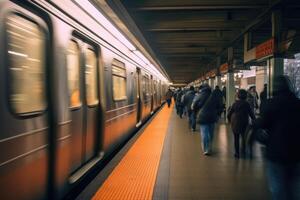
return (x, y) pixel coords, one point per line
(73, 66)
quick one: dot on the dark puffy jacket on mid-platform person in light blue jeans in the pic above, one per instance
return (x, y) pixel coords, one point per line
(209, 112)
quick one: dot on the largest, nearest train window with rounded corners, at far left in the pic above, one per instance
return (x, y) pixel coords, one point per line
(26, 56)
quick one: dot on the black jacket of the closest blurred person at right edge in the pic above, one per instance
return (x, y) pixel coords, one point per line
(281, 119)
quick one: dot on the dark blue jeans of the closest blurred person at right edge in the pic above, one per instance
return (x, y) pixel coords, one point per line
(284, 180)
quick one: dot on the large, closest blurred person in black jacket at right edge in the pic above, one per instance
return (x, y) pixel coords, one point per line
(280, 119)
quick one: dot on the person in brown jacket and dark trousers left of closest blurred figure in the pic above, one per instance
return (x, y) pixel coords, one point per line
(238, 116)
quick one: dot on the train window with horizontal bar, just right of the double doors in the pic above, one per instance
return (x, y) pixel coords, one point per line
(119, 80)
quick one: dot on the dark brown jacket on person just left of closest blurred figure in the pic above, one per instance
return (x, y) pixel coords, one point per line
(238, 116)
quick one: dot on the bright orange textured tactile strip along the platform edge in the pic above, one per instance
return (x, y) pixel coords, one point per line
(134, 177)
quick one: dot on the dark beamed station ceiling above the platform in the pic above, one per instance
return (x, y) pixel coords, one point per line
(188, 35)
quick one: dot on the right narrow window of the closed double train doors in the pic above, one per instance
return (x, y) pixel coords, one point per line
(91, 77)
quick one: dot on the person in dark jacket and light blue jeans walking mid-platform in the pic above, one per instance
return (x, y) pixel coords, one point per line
(207, 117)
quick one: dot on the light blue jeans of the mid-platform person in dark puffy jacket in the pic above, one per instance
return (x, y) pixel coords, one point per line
(207, 134)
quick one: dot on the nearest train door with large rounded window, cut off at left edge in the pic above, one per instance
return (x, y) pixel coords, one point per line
(24, 103)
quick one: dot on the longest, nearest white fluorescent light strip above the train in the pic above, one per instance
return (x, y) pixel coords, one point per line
(90, 8)
